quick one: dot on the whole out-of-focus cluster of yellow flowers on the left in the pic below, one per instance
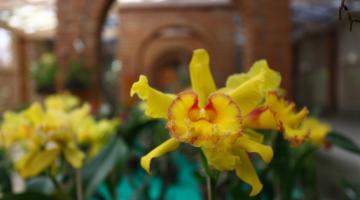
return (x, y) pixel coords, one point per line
(39, 136)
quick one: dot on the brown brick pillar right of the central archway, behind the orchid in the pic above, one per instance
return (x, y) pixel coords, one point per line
(267, 30)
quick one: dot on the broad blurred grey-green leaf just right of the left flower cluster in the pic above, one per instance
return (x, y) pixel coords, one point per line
(97, 169)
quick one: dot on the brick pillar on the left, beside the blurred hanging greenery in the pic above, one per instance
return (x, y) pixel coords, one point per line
(79, 30)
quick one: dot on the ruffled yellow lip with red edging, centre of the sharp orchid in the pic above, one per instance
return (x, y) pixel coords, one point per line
(203, 126)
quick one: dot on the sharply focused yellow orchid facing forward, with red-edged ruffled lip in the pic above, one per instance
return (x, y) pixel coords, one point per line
(213, 119)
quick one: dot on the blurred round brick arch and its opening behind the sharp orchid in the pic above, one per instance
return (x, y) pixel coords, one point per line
(166, 53)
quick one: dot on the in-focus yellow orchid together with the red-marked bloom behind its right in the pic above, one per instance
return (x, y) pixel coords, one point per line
(223, 122)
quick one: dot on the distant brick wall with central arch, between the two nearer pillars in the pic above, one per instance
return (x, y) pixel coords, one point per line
(142, 42)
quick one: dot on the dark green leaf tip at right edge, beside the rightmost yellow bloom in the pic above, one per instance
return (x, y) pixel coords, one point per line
(343, 142)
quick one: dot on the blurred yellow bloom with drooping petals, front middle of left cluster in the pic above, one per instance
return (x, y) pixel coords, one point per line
(49, 136)
